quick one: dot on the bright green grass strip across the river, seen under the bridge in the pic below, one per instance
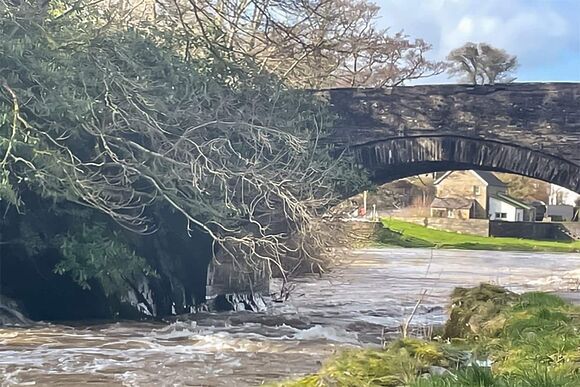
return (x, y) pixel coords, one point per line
(400, 233)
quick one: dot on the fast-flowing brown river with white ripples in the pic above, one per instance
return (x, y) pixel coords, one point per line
(354, 305)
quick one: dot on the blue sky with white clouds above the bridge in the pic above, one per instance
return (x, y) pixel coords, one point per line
(544, 34)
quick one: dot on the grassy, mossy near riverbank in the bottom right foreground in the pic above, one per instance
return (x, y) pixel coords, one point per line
(493, 338)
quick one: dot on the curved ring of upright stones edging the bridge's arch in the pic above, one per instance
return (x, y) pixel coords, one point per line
(397, 157)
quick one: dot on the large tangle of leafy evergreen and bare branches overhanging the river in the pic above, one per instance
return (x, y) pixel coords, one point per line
(177, 132)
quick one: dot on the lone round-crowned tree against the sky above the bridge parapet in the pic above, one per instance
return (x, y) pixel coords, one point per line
(481, 64)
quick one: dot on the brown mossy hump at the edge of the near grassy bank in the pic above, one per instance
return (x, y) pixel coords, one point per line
(476, 311)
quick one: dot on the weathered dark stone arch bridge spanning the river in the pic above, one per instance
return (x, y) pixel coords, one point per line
(530, 129)
